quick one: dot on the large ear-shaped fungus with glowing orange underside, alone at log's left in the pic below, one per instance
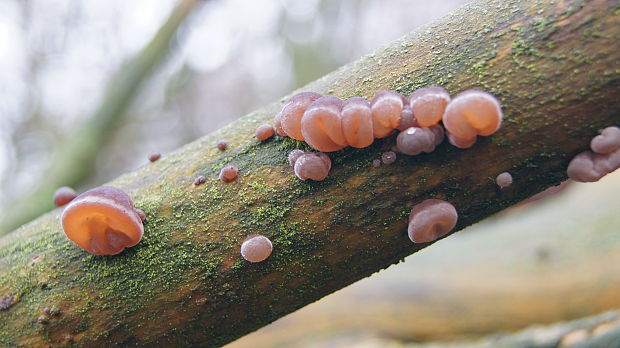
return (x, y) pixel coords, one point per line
(102, 221)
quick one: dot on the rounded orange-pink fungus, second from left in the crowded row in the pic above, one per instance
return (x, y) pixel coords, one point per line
(321, 125)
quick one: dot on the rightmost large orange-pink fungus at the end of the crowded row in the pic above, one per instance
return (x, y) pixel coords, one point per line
(472, 113)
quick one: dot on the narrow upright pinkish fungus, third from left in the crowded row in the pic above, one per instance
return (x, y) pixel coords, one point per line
(357, 122)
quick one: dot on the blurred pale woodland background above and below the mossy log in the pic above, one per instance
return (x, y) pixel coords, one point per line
(136, 80)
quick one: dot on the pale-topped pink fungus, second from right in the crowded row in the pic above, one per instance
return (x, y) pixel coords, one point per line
(428, 105)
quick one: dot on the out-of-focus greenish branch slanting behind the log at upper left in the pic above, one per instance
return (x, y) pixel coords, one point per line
(74, 159)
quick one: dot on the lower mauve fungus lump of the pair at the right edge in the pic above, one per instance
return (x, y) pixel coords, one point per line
(590, 167)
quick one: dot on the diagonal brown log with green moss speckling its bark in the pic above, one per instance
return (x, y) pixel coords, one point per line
(554, 66)
